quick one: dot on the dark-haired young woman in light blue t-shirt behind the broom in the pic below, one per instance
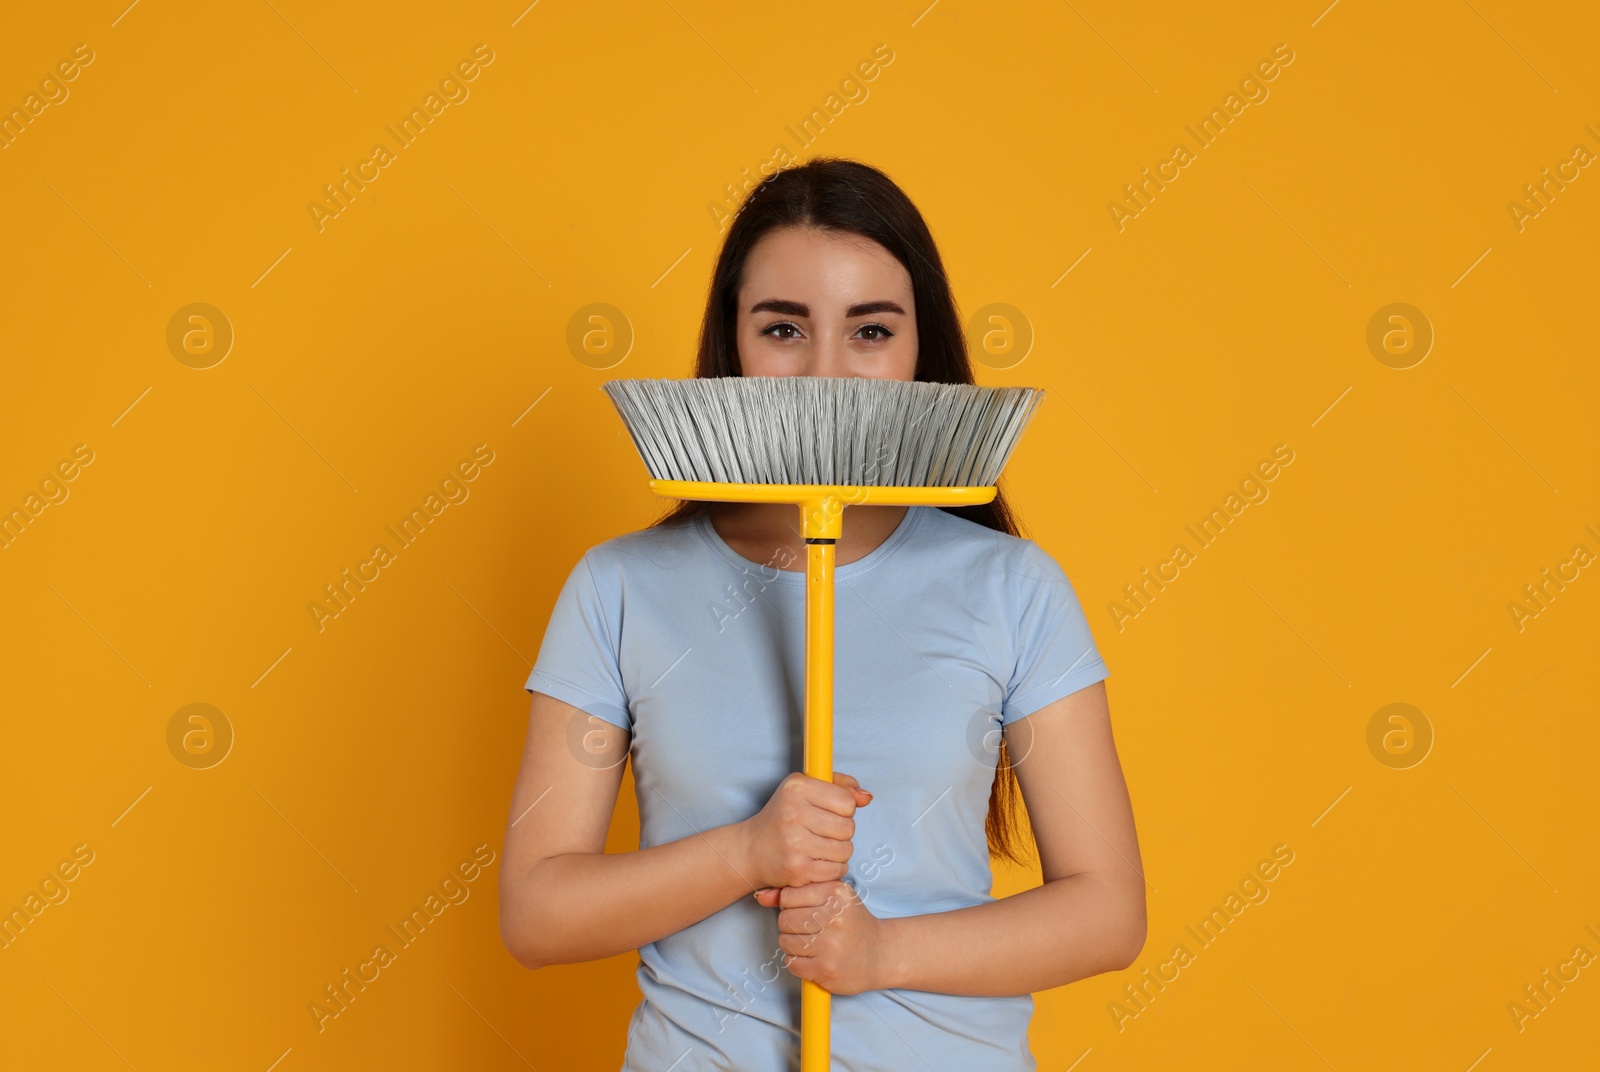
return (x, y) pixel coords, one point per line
(966, 674)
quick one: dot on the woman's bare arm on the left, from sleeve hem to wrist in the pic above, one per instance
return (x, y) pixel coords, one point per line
(564, 898)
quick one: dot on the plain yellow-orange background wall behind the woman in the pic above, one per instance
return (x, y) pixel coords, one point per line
(374, 354)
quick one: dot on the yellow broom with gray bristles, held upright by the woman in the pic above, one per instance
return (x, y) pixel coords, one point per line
(822, 444)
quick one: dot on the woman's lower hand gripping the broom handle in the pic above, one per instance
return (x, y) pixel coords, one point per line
(831, 935)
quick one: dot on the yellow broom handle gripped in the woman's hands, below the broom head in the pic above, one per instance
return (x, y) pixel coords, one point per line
(820, 519)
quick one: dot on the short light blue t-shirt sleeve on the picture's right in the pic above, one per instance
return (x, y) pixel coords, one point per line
(1055, 649)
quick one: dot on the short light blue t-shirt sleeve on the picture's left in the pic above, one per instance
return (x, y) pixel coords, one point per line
(578, 658)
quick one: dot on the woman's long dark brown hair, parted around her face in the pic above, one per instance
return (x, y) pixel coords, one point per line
(846, 196)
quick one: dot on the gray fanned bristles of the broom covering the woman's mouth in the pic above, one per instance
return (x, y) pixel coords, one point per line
(823, 430)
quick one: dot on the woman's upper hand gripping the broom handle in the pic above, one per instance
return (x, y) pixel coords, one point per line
(804, 831)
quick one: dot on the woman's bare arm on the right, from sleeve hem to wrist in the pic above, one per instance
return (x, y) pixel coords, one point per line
(1089, 914)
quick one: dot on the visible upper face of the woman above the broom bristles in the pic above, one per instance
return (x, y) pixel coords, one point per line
(820, 303)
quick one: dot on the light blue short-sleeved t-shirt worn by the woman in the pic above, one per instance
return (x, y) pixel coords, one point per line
(943, 634)
